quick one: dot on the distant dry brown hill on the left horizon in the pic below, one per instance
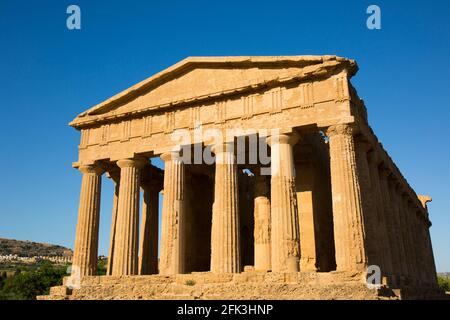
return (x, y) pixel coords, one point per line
(31, 249)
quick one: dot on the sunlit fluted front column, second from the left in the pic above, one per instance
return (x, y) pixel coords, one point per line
(127, 230)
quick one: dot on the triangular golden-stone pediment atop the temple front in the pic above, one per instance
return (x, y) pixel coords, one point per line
(199, 77)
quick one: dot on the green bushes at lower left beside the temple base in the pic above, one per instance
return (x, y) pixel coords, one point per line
(29, 282)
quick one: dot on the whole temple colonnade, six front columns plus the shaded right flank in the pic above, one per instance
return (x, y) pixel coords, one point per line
(372, 218)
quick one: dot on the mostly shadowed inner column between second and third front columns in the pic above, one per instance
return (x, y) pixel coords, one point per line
(148, 244)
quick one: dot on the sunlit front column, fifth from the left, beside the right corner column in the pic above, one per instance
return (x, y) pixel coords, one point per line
(284, 212)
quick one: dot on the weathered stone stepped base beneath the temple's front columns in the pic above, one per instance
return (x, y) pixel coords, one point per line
(243, 286)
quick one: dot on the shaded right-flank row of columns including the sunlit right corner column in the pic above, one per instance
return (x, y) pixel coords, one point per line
(392, 231)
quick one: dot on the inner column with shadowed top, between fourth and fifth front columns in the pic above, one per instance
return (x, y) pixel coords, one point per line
(262, 224)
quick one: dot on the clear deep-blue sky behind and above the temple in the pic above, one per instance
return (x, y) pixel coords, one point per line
(49, 74)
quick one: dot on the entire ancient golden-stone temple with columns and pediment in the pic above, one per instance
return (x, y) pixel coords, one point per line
(274, 186)
